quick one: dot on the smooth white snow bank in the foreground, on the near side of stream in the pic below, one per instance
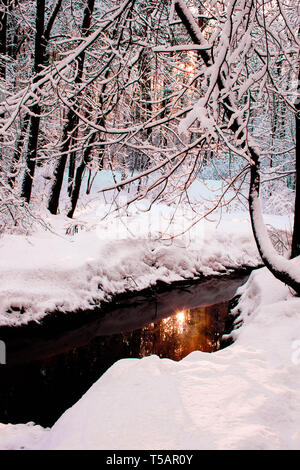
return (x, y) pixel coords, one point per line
(246, 396)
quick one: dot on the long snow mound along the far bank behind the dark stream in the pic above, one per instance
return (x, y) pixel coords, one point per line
(46, 272)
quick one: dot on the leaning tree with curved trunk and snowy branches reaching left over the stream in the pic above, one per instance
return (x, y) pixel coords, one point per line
(247, 52)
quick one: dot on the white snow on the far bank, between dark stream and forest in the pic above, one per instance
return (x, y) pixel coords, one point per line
(49, 271)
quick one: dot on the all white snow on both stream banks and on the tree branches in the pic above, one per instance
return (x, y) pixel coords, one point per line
(243, 397)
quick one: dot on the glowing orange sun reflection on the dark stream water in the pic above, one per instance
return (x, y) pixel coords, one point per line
(185, 331)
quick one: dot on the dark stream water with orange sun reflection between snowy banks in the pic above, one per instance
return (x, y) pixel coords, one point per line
(49, 367)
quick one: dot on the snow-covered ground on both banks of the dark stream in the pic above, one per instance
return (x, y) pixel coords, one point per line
(246, 396)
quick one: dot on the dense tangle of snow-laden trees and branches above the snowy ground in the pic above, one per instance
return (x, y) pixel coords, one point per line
(153, 91)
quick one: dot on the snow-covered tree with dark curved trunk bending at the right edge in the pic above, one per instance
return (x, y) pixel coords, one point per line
(229, 79)
